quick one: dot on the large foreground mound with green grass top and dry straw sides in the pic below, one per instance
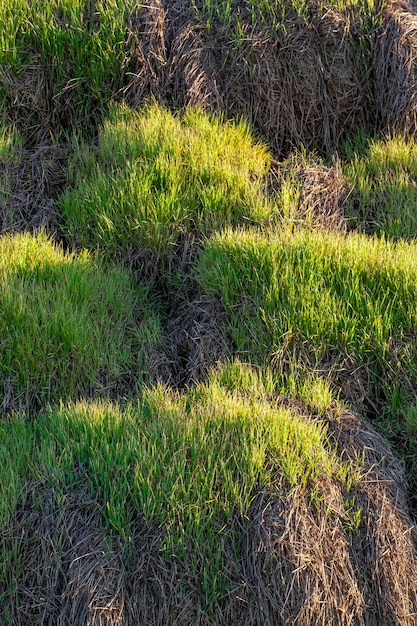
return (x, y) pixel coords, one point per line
(219, 500)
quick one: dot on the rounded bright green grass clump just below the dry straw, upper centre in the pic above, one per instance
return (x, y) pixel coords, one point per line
(156, 176)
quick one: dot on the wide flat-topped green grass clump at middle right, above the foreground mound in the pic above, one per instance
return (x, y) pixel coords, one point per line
(332, 296)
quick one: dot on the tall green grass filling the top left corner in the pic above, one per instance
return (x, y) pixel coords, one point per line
(61, 60)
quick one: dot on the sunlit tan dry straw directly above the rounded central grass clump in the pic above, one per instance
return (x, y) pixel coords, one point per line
(171, 57)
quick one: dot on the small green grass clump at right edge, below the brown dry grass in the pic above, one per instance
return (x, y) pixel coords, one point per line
(384, 176)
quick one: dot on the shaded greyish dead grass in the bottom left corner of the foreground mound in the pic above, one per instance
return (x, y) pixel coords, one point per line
(70, 573)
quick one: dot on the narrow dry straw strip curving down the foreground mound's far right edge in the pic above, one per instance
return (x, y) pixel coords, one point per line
(384, 550)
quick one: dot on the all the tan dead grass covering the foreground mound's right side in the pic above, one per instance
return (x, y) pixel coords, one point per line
(343, 558)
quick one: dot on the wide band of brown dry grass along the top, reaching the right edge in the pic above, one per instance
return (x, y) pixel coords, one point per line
(310, 82)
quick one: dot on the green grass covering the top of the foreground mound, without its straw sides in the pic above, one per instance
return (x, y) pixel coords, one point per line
(187, 462)
